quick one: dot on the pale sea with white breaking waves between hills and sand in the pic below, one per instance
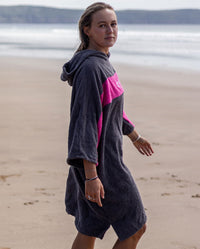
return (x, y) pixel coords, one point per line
(164, 46)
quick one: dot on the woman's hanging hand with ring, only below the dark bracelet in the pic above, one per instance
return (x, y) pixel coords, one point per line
(94, 191)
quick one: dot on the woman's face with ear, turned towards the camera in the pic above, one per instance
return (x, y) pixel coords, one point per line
(103, 30)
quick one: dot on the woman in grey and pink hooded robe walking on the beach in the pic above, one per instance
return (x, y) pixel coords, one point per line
(100, 189)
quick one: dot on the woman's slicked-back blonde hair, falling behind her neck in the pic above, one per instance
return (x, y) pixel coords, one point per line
(86, 20)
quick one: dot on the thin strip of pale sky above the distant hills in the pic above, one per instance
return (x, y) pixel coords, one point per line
(117, 4)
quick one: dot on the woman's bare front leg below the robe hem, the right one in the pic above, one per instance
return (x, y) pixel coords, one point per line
(131, 242)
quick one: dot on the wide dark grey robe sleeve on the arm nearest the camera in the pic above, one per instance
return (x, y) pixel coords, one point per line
(86, 109)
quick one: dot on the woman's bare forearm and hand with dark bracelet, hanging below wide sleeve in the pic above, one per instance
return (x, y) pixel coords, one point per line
(94, 189)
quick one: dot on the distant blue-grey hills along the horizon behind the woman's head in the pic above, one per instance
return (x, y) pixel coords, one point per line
(32, 14)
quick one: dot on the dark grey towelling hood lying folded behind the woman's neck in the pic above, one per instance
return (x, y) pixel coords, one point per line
(70, 68)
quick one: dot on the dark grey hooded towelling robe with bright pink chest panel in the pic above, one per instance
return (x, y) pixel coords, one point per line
(97, 123)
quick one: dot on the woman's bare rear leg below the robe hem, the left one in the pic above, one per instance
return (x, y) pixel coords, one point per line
(83, 242)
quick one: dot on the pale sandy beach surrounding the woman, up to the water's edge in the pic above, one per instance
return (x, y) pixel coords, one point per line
(34, 108)
